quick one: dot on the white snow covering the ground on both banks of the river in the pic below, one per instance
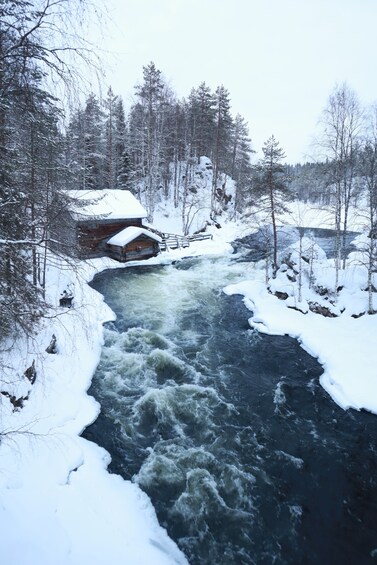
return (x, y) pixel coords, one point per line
(58, 504)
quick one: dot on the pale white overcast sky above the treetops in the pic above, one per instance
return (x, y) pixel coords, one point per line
(279, 59)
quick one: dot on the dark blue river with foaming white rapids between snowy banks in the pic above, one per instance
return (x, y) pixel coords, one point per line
(245, 458)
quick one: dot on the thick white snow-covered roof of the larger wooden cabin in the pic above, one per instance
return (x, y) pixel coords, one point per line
(108, 204)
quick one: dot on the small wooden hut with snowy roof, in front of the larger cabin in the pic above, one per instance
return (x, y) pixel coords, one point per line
(132, 244)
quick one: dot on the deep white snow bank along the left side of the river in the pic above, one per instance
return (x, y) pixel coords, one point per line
(58, 502)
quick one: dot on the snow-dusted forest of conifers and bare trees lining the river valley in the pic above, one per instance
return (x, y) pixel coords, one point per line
(50, 142)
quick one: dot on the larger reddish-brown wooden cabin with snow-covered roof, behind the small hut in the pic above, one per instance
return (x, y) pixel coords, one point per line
(96, 216)
